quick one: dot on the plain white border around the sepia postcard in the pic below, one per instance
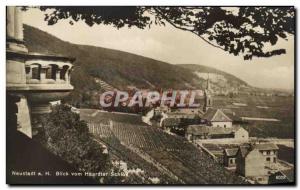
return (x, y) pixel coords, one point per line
(116, 2)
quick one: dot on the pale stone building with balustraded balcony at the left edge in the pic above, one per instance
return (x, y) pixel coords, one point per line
(32, 80)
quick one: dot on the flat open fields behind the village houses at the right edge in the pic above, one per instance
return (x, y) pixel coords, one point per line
(276, 107)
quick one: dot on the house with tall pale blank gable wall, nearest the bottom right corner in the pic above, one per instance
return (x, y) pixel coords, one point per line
(250, 164)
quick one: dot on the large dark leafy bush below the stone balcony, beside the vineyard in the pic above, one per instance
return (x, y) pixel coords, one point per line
(67, 136)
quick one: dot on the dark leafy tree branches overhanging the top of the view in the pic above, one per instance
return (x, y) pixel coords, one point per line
(246, 31)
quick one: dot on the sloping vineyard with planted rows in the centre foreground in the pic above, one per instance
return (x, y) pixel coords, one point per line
(170, 158)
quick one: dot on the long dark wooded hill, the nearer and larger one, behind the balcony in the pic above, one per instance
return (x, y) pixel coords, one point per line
(119, 68)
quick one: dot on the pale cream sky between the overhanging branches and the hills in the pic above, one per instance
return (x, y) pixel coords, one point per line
(165, 43)
